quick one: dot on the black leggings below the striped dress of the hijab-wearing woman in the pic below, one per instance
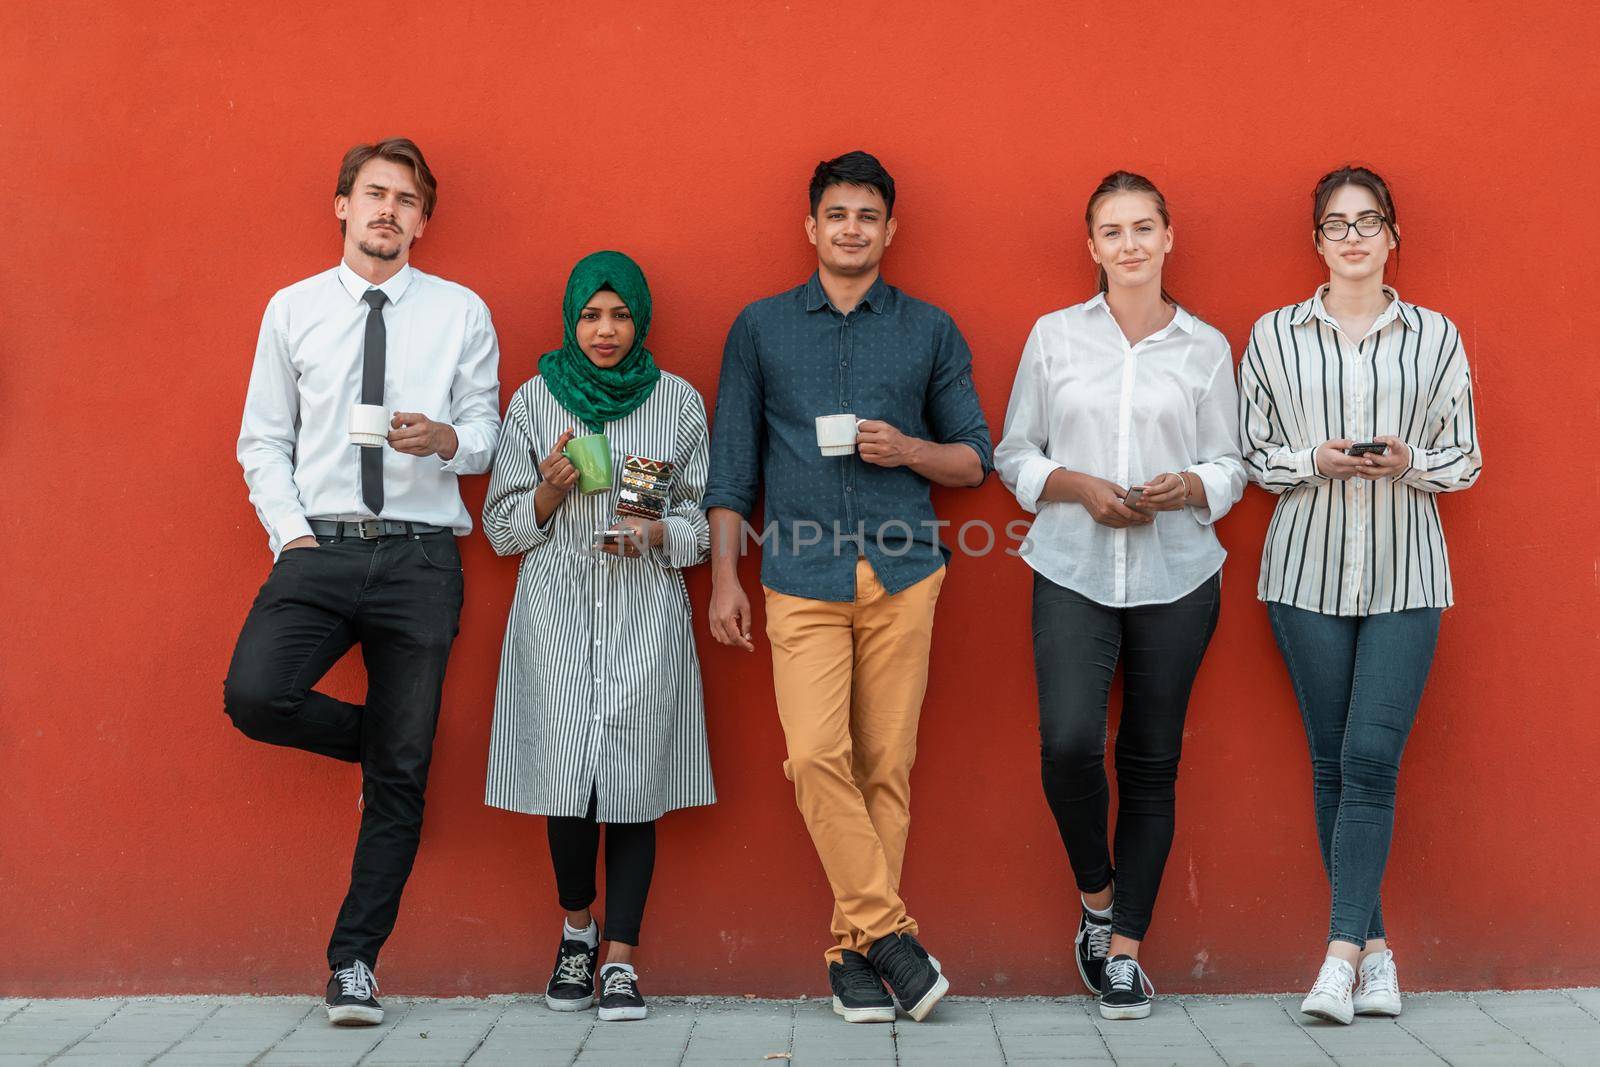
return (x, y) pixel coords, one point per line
(630, 863)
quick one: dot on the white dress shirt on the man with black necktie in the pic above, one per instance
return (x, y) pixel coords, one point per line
(441, 359)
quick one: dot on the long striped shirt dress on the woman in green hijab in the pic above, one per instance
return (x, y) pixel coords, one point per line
(599, 687)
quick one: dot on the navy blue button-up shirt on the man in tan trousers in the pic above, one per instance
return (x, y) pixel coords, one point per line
(791, 359)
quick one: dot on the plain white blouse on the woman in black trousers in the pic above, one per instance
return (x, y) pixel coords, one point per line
(1087, 401)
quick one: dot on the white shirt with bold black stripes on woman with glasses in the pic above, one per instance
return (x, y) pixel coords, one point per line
(1358, 548)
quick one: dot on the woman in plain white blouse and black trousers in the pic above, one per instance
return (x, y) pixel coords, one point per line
(1122, 439)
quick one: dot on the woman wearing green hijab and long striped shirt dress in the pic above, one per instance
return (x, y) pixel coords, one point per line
(599, 717)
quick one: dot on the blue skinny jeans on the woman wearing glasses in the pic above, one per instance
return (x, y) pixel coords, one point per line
(1358, 682)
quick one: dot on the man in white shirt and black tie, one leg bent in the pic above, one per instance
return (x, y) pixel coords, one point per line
(364, 538)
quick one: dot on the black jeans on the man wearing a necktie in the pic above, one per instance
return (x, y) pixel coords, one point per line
(401, 601)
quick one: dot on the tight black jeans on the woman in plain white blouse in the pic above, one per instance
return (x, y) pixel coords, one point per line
(1078, 644)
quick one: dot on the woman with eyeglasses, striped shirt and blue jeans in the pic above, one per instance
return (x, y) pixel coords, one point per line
(1356, 409)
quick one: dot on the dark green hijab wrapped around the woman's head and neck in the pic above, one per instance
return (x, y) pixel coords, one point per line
(598, 396)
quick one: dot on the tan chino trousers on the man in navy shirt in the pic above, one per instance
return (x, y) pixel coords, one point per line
(850, 679)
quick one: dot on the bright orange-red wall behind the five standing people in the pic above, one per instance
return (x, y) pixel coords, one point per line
(167, 172)
